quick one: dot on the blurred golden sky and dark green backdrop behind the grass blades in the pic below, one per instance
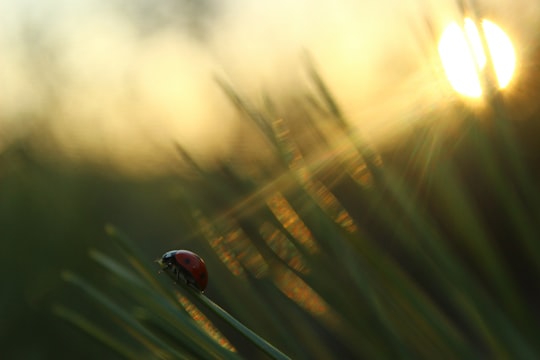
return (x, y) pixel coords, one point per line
(97, 97)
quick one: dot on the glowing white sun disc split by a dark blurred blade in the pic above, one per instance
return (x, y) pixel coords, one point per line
(463, 57)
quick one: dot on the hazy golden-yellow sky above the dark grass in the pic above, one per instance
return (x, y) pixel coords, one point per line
(123, 80)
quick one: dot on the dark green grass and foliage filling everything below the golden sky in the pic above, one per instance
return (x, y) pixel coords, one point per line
(426, 249)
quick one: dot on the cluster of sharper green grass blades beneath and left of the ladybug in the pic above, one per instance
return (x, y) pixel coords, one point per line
(167, 314)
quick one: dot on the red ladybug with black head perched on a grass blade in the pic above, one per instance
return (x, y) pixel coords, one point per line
(187, 266)
